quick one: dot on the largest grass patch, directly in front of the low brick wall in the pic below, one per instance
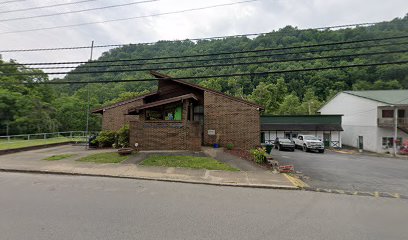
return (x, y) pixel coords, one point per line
(187, 162)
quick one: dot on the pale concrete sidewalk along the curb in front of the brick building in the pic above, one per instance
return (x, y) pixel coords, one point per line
(264, 179)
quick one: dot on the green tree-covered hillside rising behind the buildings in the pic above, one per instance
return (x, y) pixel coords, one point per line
(63, 107)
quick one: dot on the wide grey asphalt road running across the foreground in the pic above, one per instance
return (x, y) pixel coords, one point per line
(73, 207)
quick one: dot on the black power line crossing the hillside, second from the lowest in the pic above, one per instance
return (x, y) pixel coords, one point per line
(213, 65)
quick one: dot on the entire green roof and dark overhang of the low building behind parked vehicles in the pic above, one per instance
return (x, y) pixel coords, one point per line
(301, 123)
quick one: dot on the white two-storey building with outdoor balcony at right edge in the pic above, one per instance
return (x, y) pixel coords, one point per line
(368, 117)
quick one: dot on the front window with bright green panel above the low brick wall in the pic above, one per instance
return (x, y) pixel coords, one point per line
(171, 112)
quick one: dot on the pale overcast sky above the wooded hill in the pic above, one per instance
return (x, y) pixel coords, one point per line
(252, 17)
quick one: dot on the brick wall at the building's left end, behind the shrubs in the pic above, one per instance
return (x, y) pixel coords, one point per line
(115, 118)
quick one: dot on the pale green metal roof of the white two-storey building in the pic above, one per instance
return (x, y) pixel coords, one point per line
(385, 96)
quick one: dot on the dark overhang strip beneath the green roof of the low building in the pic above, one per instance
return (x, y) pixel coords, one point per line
(300, 127)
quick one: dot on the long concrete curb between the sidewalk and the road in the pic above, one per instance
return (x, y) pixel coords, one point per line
(153, 179)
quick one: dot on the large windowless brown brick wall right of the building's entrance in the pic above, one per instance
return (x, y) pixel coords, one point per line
(235, 122)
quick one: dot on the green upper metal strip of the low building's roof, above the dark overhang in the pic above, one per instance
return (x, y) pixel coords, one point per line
(301, 119)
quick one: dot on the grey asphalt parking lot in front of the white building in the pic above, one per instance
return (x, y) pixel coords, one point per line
(348, 171)
